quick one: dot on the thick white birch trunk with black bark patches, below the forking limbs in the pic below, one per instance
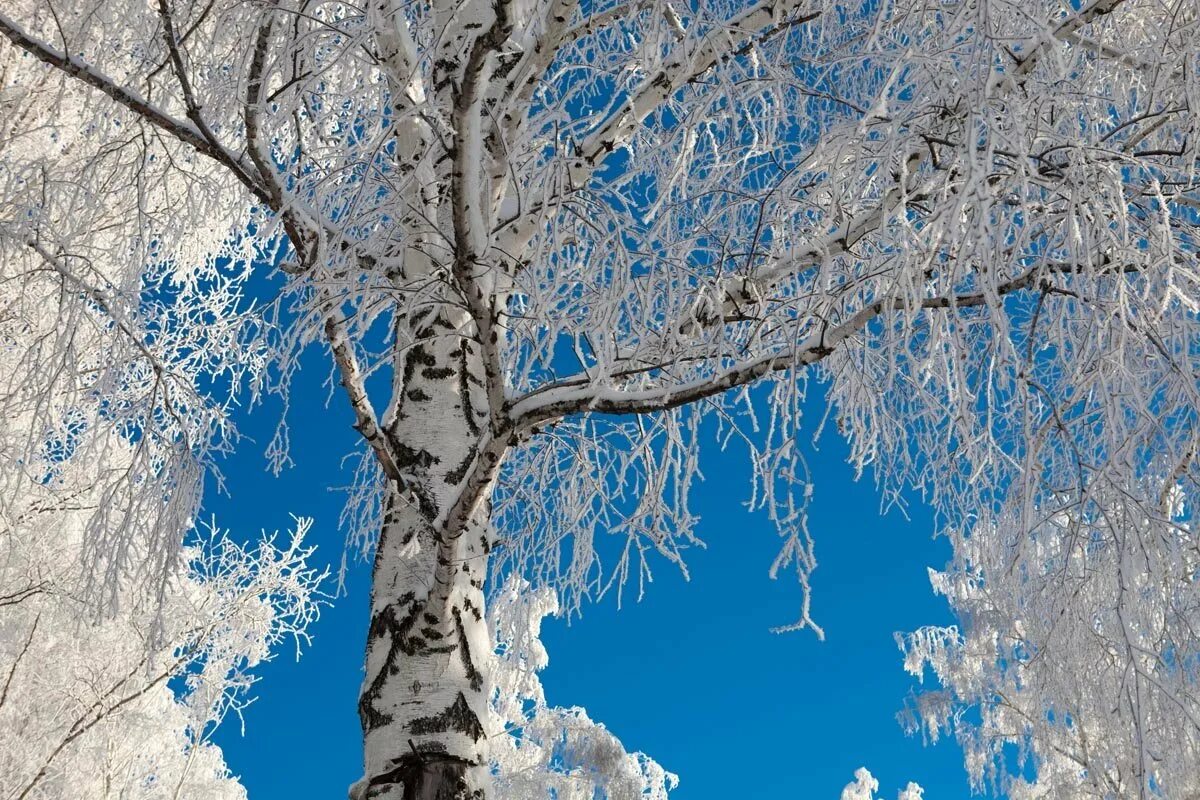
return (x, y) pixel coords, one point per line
(423, 702)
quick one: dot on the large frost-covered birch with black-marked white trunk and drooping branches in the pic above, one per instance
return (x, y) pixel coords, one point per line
(550, 245)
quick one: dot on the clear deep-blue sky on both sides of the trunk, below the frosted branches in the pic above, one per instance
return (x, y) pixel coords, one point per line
(688, 676)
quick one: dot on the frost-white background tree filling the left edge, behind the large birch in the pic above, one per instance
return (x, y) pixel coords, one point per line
(121, 645)
